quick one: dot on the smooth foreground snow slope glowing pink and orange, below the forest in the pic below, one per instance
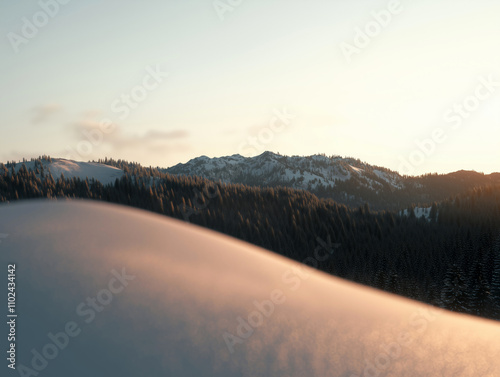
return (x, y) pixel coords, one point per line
(192, 287)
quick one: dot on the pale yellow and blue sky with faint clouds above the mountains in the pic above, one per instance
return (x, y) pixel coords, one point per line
(179, 79)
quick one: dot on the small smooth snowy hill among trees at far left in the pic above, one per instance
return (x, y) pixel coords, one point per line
(74, 169)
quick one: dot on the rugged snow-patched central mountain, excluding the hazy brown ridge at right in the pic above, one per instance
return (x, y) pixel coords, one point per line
(310, 172)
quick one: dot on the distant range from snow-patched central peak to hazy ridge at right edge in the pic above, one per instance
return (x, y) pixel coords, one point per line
(346, 180)
